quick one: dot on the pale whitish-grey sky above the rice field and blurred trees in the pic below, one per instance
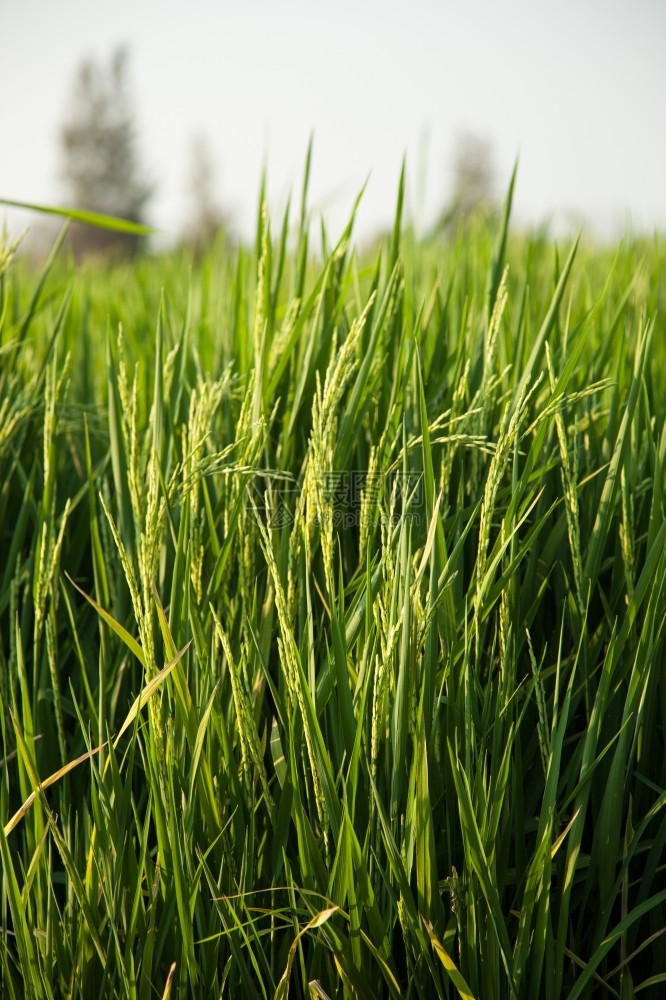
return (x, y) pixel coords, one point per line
(576, 90)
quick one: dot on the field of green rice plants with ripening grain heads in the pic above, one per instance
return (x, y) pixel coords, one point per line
(332, 603)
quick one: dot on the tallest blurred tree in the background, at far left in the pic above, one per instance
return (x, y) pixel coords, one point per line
(101, 166)
